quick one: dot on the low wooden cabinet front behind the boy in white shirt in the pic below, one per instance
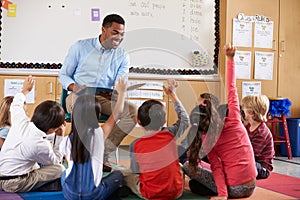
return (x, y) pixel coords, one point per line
(44, 90)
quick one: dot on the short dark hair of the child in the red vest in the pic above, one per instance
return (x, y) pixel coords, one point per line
(152, 115)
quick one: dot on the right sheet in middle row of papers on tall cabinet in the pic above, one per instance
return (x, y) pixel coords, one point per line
(264, 64)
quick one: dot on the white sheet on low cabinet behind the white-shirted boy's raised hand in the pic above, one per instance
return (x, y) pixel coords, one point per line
(14, 86)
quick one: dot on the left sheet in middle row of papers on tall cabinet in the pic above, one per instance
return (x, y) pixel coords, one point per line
(242, 61)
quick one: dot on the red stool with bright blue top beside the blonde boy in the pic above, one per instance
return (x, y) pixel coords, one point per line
(279, 109)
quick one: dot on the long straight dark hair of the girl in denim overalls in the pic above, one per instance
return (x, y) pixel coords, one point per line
(86, 112)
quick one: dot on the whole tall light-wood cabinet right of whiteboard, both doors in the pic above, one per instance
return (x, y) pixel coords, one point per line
(286, 17)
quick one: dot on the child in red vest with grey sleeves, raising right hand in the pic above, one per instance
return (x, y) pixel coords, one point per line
(153, 157)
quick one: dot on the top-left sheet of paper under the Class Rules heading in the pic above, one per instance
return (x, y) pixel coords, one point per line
(242, 33)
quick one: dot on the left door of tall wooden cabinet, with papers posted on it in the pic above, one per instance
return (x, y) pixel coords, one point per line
(267, 8)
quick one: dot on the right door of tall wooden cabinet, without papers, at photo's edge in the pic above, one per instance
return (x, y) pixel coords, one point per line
(289, 44)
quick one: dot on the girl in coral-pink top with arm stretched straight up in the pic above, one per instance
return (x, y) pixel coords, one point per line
(230, 153)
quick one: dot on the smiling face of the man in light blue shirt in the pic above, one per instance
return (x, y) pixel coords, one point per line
(112, 36)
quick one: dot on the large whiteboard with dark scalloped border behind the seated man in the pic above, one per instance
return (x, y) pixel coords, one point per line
(162, 36)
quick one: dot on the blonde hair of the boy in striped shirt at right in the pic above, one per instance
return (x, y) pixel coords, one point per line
(259, 105)
